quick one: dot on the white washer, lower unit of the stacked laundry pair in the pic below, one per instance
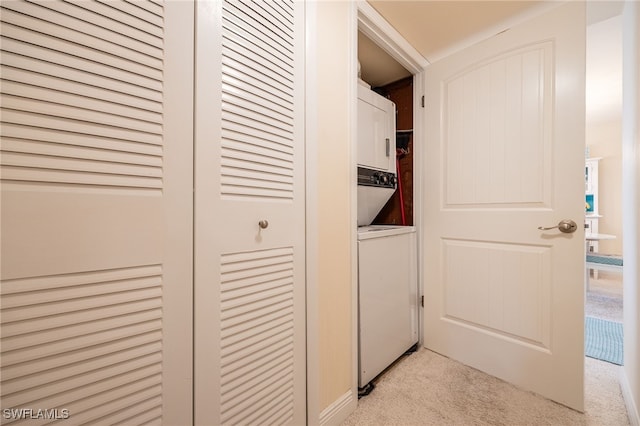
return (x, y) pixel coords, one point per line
(388, 297)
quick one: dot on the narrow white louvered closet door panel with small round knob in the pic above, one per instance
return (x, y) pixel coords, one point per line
(249, 282)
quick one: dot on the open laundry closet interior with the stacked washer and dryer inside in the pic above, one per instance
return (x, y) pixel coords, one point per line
(388, 301)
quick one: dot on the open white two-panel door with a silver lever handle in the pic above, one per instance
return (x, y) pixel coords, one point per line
(505, 144)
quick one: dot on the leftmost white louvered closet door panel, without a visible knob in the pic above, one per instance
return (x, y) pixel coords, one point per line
(96, 212)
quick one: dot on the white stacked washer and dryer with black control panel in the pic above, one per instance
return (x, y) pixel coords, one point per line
(387, 255)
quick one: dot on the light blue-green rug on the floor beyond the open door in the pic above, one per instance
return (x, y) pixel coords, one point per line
(603, 340)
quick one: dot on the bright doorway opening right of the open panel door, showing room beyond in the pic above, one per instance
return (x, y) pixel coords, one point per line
(603, 204)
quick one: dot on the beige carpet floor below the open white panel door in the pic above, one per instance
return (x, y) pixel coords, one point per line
(428, 389)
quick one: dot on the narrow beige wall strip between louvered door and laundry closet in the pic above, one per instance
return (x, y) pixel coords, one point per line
(334, 286)
